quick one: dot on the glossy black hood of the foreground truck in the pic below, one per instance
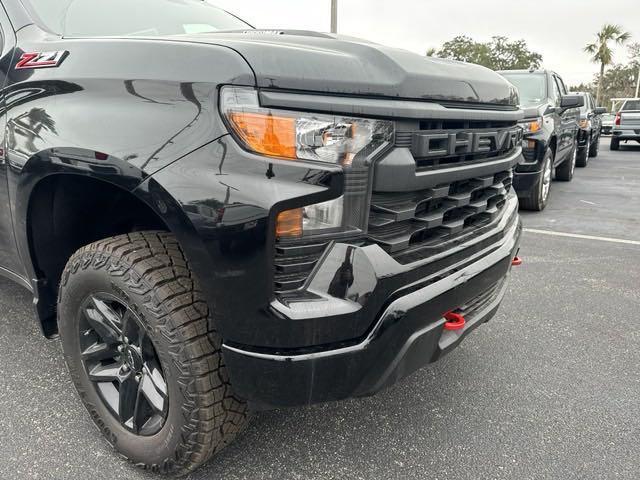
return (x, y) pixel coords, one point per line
(324, 63)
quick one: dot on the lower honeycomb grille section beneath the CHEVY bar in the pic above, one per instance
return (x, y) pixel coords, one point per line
(399, 221)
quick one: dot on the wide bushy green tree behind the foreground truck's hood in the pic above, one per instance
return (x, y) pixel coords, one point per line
(498, 54)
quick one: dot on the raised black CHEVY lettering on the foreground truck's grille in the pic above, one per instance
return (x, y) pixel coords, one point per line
(441, 144)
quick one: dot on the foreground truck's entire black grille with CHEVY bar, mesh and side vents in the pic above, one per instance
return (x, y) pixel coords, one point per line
(410, 225)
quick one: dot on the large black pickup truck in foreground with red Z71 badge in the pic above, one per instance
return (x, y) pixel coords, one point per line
(216, 219)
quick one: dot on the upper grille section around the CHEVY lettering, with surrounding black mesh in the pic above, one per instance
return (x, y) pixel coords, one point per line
(440, 144)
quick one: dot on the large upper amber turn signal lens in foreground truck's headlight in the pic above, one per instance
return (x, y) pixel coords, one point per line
(266, 134)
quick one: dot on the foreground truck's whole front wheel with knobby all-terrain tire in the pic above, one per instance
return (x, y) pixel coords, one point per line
(144, 355)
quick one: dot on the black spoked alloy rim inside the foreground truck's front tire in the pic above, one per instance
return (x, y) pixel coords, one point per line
(122, 363)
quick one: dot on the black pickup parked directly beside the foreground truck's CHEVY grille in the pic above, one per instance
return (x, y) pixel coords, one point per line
(550, 129)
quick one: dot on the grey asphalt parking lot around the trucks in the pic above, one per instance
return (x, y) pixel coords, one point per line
(549, 389)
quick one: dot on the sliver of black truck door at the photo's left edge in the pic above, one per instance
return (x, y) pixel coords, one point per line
(9, 260)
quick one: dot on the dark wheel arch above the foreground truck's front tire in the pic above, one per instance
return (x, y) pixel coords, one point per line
(63, 202)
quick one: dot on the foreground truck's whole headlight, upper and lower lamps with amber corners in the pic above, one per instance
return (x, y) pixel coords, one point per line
(338, 140)
